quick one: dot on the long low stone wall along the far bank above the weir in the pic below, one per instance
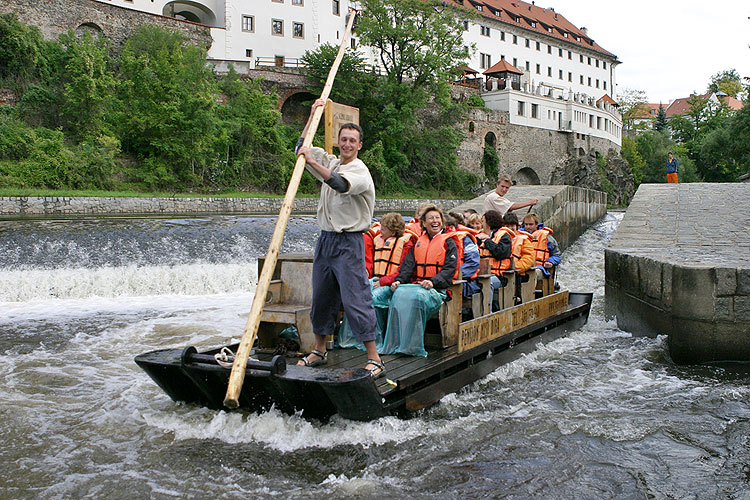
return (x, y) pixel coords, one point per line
(34, 206)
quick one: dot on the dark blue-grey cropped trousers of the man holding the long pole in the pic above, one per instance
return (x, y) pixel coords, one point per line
(340, 277)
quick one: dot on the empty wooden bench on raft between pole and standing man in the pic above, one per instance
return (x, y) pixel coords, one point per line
(288, 302)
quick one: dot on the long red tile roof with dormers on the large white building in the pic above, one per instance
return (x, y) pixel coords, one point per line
(533, 18)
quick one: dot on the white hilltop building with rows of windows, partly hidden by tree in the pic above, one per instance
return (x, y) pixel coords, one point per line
(566, 77)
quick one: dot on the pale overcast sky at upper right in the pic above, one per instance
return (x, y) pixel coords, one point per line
(668, 48)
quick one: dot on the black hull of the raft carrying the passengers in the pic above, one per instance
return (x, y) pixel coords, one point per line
(342, 387)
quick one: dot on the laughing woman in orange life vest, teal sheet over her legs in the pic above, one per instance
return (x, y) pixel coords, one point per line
(426, 272)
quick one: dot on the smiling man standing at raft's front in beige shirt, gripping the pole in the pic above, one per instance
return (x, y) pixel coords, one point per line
(345, 210)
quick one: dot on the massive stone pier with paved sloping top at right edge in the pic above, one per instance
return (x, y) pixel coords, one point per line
(679, 265)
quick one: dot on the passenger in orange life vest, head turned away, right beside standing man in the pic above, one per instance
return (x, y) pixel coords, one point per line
(390, 247)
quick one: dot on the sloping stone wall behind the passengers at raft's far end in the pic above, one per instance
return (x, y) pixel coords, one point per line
(568, 210)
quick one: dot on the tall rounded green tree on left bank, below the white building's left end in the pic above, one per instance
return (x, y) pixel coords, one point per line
(167, 118)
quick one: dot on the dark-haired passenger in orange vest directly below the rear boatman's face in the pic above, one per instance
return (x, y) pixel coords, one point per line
(496, 244)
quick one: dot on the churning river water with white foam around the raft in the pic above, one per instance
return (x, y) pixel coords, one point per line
(599, 414)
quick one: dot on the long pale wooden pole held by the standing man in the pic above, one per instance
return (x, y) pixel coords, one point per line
(237, 376)
